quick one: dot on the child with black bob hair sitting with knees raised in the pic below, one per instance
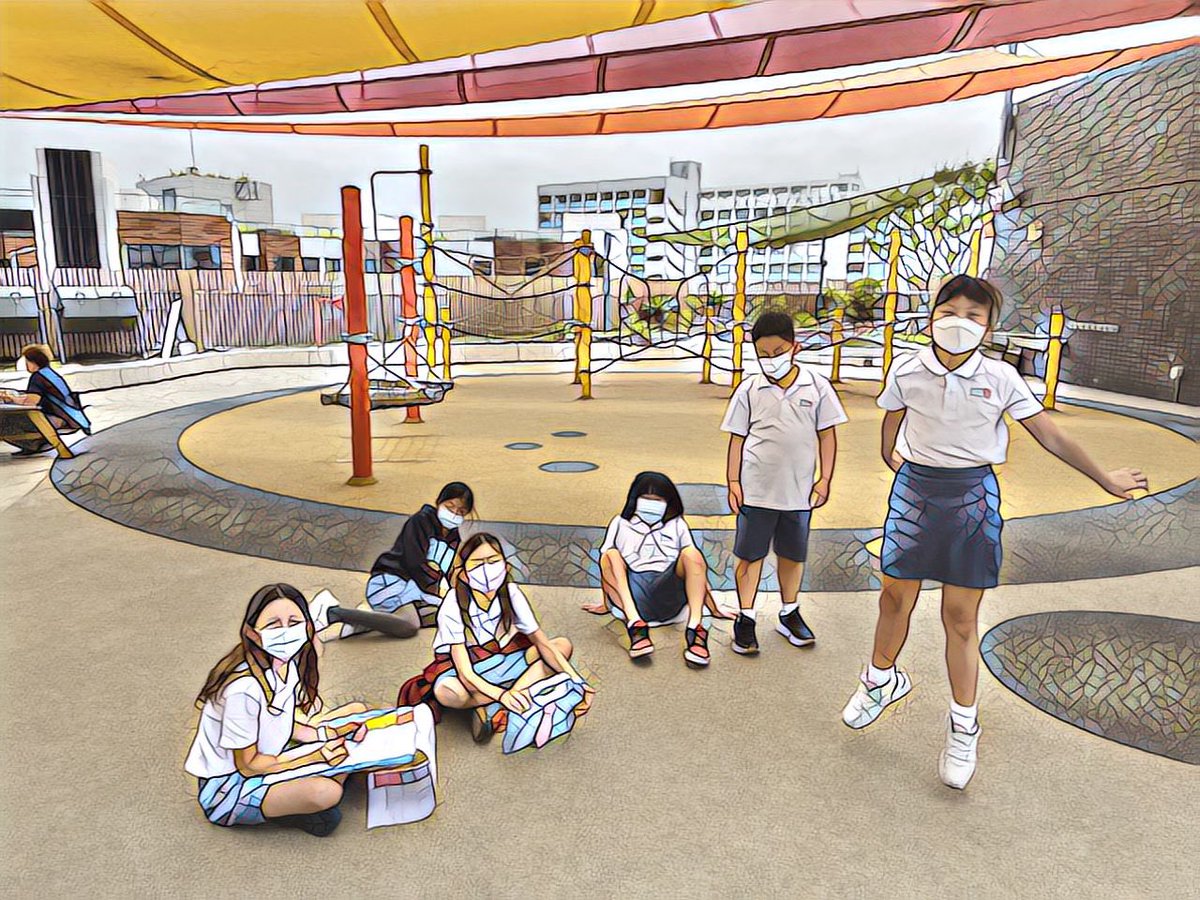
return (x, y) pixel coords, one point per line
(651, 569)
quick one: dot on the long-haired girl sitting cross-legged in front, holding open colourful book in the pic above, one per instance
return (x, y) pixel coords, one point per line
(249, 718)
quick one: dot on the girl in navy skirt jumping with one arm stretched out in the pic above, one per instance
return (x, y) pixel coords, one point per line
(944, 431)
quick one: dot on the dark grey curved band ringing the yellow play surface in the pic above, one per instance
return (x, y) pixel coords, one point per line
(136, 476)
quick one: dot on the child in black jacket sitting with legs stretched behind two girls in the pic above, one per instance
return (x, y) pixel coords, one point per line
(407, 583)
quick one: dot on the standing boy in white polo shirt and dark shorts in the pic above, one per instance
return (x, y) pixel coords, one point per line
(781, 424)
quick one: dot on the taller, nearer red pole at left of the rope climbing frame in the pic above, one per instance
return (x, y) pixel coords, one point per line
(357, 335)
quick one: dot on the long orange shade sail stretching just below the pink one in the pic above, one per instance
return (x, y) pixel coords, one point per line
(959, 77)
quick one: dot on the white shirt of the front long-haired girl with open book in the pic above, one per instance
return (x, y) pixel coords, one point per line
(242, 718)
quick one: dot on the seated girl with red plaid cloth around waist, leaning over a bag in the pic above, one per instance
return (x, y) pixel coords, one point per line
(489, 646)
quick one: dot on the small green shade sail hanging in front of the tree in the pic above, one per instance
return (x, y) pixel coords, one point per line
(815, 224)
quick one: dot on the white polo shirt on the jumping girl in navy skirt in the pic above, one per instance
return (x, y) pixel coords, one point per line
(956, 421)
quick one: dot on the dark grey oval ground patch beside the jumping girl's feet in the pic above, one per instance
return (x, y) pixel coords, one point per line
(1135, 680)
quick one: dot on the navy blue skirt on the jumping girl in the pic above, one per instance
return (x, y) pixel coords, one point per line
(944, 525)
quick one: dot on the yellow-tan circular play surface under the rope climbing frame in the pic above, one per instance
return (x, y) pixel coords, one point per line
(669, 423)
